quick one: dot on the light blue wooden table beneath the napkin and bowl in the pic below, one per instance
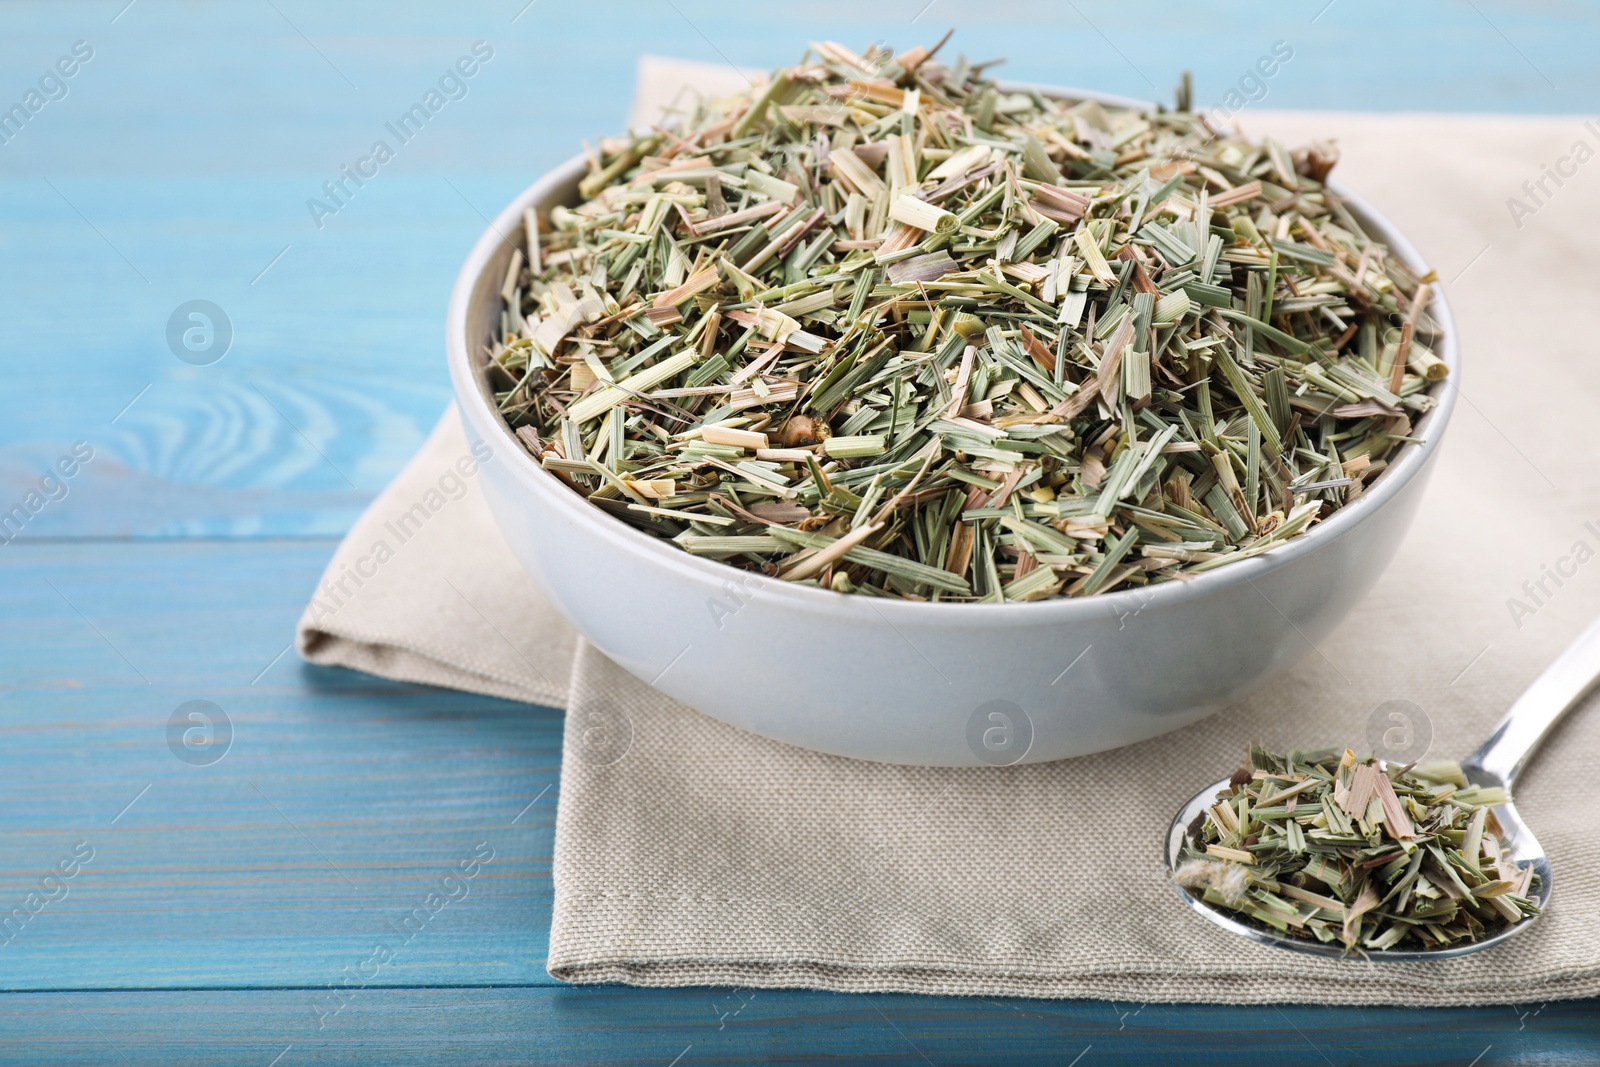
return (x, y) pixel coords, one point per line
(218, 903)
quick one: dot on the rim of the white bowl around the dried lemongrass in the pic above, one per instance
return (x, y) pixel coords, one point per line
(476, 406)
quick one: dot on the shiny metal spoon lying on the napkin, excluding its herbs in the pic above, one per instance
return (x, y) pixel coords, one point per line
(1497, 764)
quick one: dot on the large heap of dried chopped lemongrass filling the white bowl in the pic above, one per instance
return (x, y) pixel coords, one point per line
(889, 329)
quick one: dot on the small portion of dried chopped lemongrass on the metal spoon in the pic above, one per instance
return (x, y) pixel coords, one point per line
(1326, 847)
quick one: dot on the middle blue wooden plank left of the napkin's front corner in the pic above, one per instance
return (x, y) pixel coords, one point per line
(337, 812)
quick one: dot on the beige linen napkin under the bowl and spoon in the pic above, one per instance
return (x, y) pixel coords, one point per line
(694, 853)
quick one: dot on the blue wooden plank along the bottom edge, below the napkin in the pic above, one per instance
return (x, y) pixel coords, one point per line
(721, 1026)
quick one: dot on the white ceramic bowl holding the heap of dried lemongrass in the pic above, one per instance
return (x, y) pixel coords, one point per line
(926, 684)
